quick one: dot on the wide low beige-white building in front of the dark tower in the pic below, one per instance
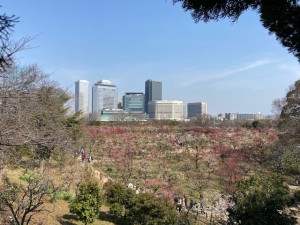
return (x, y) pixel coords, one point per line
(165, 110)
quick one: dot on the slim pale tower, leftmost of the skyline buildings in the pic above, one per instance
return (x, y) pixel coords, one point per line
(82, 96)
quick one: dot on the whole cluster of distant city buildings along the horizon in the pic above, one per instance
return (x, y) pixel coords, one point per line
(106, 106)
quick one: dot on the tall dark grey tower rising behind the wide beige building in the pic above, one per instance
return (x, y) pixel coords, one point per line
(153, 91)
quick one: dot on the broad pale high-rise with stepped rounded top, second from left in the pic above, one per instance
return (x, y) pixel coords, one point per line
(105, 96)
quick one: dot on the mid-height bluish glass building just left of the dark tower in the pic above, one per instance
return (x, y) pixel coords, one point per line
(133, 102)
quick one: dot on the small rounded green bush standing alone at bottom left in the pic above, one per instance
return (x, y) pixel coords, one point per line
(87, 202)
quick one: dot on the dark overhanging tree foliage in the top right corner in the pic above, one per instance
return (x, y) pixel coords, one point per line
(280, 17)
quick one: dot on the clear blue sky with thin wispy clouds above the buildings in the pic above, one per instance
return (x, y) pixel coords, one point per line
(234, 67)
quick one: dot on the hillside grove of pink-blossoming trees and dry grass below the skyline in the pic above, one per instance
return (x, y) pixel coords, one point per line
(199, 163)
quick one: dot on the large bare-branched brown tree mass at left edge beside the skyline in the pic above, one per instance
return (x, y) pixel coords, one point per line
(33, 116)
